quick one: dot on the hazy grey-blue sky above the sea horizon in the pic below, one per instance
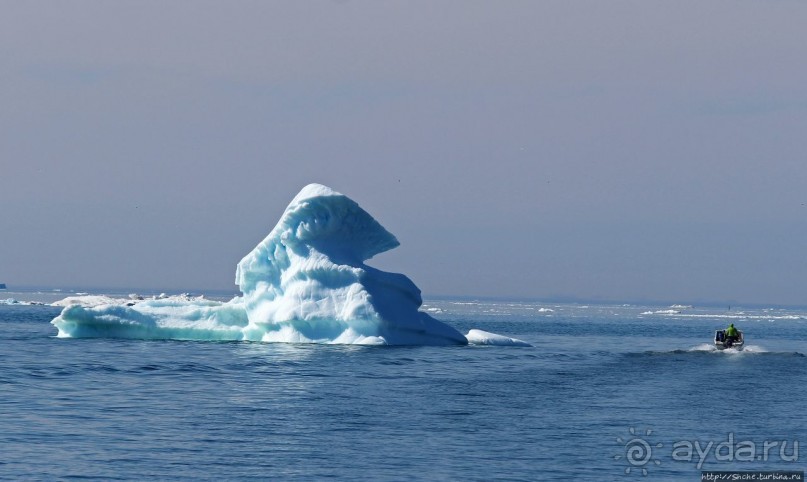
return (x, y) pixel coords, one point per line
(597, 149)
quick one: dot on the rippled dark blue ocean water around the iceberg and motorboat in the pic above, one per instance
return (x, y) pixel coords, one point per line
(605, 393)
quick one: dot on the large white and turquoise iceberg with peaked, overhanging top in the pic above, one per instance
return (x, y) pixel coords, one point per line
(306, 282)
